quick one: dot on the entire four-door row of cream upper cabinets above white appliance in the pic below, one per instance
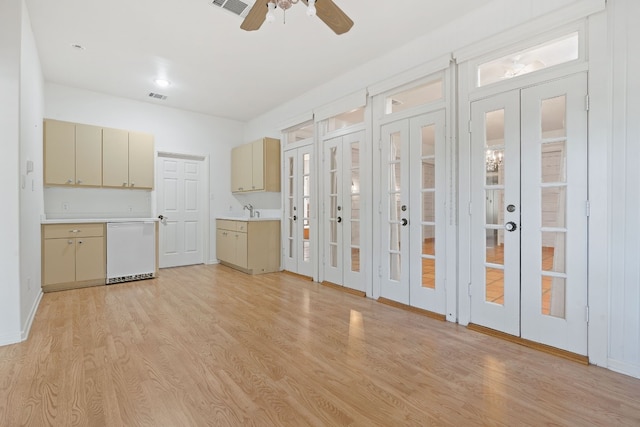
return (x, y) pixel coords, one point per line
(83, 155)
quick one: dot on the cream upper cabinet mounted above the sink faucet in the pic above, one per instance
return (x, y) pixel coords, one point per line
(256, 166)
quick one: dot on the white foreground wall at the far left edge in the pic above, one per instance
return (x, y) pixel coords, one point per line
(10, 23)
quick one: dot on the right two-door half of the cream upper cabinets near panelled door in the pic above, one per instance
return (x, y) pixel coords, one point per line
(127, 159)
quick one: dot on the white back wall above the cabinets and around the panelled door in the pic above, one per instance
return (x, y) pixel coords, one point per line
(175, 131)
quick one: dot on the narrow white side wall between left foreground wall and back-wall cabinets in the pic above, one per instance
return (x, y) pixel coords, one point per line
(31, 109)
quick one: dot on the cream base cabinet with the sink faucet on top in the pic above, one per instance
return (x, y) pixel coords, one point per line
(249, 246)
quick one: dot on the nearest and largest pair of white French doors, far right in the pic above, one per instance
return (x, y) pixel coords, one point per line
(529, 213)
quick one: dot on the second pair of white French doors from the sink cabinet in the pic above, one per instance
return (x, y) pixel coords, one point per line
(342, 210)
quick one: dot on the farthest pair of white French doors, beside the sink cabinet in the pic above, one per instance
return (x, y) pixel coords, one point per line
(298, 250)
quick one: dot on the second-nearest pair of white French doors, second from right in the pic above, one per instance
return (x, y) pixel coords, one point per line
(413, 211)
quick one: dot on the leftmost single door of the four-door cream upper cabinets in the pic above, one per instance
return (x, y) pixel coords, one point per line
(59, 153)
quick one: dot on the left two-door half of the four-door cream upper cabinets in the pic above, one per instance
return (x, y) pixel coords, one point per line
(72, 154)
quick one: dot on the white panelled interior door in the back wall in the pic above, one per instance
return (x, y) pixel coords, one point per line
(180, 199)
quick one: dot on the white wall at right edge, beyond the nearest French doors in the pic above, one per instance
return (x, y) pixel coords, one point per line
(624, 319)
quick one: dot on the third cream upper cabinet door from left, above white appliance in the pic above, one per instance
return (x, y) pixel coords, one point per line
(115, 158)
